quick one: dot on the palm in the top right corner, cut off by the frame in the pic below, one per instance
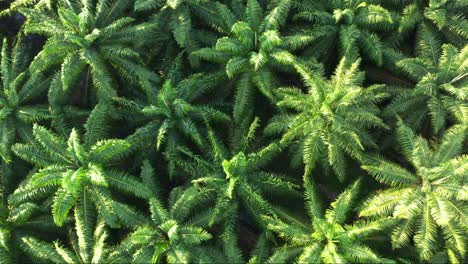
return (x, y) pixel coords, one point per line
(446, 16)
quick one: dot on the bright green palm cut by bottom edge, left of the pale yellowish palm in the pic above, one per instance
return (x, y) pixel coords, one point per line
(330, 240)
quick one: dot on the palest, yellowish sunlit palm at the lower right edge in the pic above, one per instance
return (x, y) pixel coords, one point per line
(430, 198)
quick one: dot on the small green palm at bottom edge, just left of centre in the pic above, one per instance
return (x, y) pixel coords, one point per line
(171, 234)
